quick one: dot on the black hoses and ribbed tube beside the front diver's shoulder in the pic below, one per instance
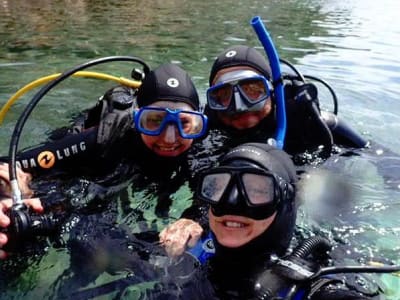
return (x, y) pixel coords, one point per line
(289, 276)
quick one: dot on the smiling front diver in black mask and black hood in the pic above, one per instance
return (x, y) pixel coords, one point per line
(248, 249)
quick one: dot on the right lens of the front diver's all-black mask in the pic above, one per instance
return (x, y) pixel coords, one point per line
(259, 188)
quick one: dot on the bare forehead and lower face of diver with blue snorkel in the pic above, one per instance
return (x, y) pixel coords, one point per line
(243, 120)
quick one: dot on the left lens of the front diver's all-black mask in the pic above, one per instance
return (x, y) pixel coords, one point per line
(214, 185)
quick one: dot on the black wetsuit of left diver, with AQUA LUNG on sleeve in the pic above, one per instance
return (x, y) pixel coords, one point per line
(77, 152)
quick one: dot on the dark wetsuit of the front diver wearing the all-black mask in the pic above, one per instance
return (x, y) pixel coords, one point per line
(231, 275)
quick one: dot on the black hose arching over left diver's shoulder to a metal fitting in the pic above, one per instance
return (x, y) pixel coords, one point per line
(16, 193)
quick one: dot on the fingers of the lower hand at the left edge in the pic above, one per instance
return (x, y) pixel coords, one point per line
(5, 206)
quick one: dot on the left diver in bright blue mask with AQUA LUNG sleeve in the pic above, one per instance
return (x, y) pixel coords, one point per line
(107, 150)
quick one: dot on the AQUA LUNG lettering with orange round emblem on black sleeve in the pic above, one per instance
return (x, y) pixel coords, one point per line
(47, 159)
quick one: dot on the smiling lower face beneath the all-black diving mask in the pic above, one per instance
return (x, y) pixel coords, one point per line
(235, 231)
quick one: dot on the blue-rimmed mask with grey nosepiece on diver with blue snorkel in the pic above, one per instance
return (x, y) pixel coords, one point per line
(239, 91)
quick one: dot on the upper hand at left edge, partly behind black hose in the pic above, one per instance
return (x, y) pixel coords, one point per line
(24, 179)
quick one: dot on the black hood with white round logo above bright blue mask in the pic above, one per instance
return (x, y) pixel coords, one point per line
(168, 82)
